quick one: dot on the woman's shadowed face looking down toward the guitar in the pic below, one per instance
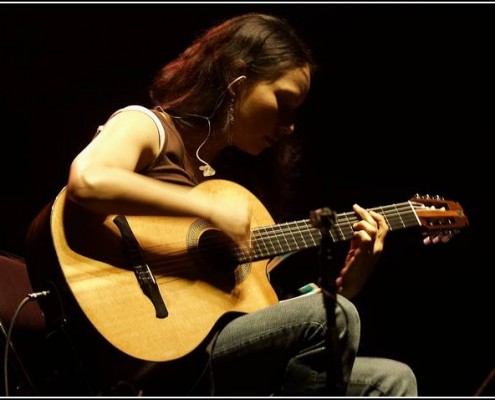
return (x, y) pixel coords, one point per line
(267, 111)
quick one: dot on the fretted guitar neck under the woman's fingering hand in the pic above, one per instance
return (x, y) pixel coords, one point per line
(273, 240)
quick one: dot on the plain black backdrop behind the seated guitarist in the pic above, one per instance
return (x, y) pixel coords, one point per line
(400, 106)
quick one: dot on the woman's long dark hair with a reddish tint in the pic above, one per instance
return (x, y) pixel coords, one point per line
(260, 46)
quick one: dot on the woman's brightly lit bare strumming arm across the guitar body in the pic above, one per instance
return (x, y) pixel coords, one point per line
(105, 178)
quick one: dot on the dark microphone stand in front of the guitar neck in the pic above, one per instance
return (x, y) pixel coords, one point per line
(323, 219)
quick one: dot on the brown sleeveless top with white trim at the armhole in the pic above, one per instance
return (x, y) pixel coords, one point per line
(172, 163)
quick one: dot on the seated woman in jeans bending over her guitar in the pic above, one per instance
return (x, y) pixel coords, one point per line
(237, 86)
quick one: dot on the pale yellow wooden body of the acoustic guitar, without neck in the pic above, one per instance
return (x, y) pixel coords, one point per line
(197, 291)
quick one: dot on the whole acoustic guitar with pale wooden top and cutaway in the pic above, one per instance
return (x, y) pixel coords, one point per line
(154, 287)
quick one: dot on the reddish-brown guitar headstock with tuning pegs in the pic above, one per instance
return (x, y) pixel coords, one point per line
(440, 219)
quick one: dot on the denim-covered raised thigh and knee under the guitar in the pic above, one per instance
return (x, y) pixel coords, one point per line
(251, 353)
